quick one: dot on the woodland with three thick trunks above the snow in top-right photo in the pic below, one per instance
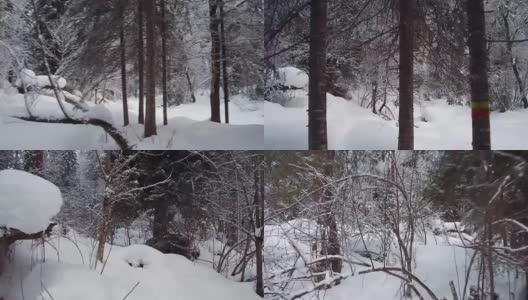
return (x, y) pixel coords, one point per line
(401, 52)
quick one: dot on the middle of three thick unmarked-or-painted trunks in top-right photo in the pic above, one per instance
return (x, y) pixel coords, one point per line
(405, 116)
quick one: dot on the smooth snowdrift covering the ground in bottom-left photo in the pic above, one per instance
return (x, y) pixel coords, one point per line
(64, 266)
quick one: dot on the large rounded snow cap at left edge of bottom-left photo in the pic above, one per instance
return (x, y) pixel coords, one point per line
(27, 202)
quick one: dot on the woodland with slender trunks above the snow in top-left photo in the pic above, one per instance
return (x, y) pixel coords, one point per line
(108, 50)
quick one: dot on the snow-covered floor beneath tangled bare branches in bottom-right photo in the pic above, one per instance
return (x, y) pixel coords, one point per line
(438, 260)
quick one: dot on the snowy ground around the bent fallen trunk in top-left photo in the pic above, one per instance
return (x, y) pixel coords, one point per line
(188, 126)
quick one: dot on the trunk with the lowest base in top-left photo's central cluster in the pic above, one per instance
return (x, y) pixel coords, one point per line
(150, 111)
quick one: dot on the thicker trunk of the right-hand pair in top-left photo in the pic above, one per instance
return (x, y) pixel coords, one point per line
(215, 61)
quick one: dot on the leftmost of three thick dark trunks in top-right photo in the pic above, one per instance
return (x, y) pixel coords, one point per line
(317, 136)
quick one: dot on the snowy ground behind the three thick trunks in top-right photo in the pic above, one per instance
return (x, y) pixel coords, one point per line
(352, 127)
